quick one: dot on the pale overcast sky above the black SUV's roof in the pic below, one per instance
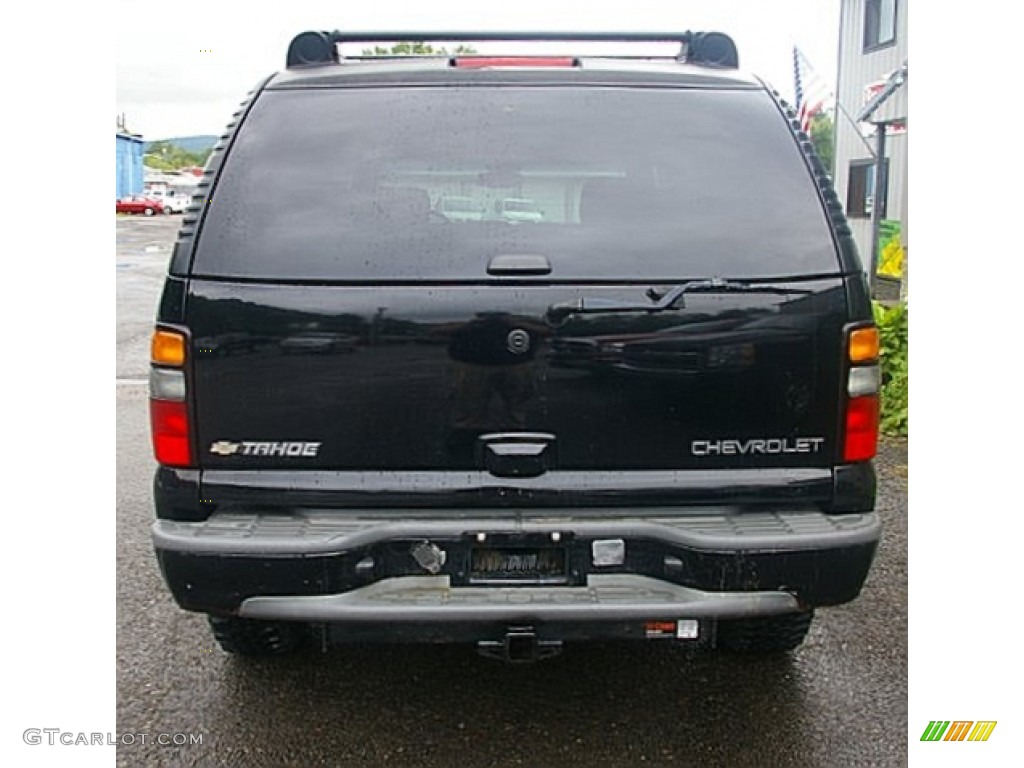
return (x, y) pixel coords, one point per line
(183, 69)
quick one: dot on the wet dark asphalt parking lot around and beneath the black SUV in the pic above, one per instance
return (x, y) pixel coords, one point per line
(840, 700)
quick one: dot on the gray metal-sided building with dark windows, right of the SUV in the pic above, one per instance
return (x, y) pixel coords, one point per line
(872, 93)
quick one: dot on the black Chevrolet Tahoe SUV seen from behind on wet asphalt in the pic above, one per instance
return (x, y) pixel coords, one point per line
(628, 389)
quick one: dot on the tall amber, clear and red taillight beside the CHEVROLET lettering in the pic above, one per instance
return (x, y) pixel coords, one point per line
(863, 388)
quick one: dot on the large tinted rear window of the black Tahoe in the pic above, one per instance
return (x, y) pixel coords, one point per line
(360, 185)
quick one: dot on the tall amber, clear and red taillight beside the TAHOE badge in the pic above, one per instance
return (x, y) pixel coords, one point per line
(168, 406)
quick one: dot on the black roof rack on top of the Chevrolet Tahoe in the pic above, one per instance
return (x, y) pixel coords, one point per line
(709, 49)
